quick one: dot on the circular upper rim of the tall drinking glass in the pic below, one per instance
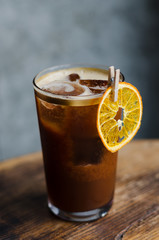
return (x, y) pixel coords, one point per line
(82, 100)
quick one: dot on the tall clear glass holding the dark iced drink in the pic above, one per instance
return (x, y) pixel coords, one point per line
(80, 172)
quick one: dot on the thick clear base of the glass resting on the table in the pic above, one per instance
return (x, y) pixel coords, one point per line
(81, 216)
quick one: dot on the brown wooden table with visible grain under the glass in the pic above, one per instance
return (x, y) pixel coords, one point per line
(134, 215)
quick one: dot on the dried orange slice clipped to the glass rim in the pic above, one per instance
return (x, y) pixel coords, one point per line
(118, 122)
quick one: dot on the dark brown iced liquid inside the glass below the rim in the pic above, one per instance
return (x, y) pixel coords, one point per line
(80, 172)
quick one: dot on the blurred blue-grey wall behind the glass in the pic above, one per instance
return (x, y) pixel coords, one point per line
(36, 34)
